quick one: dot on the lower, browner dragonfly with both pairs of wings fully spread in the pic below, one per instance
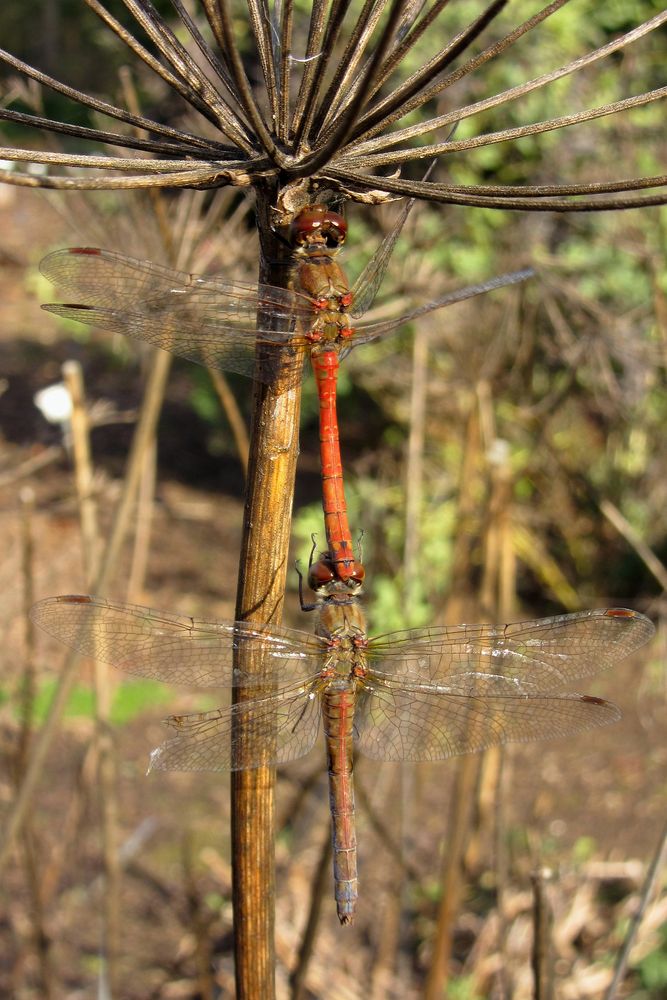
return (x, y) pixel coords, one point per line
(417, 695)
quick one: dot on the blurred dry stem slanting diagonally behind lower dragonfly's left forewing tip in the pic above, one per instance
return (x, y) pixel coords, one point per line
(144, 434)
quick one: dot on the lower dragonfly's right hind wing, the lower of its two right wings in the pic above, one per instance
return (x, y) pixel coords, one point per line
(394, 723)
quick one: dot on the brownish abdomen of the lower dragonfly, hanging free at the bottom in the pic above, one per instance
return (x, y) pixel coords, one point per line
(338, 714)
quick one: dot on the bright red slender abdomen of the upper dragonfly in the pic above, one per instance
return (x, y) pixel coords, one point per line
(337, 528)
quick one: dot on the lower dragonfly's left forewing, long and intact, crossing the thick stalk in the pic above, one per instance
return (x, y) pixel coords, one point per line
(174, 648)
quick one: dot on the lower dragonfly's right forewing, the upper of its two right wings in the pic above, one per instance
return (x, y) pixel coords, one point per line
(538, 656)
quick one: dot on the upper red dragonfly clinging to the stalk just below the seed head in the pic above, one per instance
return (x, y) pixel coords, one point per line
(226, 324)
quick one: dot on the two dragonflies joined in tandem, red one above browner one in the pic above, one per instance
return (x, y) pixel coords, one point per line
(424, 694)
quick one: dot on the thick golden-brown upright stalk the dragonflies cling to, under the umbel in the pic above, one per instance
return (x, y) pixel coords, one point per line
(262, 572)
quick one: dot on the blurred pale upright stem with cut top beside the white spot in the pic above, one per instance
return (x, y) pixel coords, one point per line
(107, 773)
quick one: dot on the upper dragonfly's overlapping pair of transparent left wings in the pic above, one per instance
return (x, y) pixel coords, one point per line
(207, 320)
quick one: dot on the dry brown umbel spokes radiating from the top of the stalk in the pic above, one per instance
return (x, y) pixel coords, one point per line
(344, 131)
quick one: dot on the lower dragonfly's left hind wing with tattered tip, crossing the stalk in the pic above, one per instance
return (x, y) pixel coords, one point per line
(261, 732)
